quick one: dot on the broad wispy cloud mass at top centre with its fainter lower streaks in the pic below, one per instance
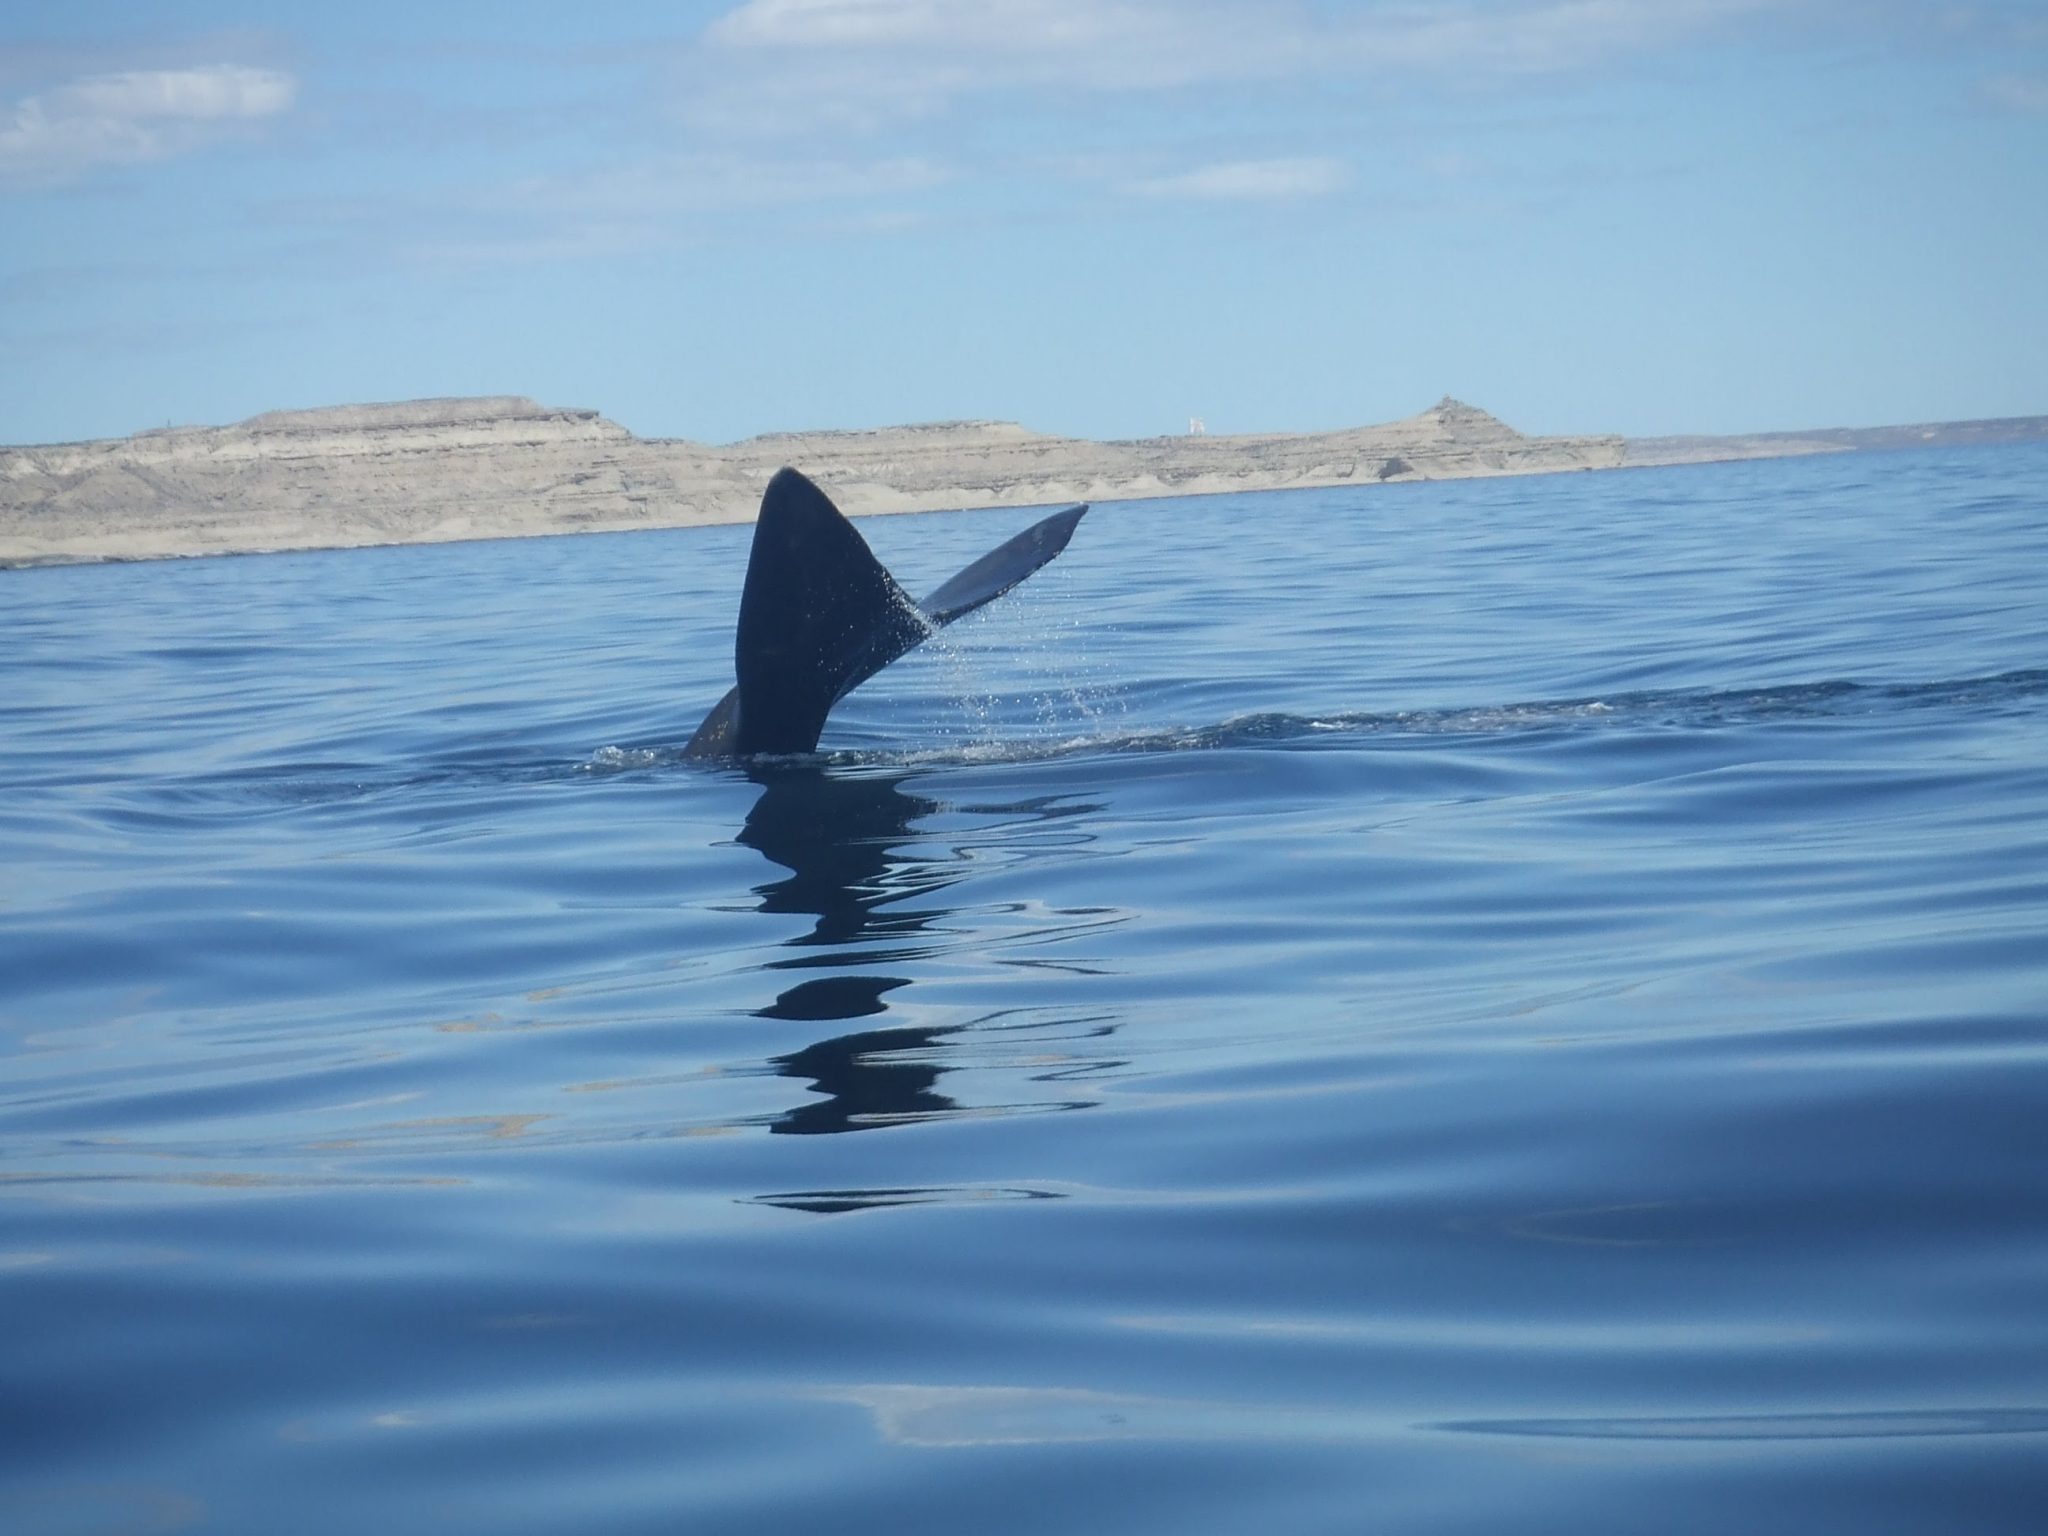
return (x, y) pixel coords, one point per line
(882, 114)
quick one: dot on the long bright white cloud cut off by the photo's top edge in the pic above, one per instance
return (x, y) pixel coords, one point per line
(861, 67)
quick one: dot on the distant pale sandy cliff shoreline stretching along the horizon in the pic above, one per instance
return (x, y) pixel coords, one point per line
(507, 468)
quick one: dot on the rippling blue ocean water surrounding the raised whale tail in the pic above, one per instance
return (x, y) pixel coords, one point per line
(1498, 1007)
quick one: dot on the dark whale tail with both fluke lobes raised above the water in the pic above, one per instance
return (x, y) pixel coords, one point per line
(820, 615)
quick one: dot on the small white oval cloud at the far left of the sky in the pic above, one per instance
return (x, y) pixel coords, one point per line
(134, 118)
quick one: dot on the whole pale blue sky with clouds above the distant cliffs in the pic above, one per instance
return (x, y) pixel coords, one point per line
(1097, 218)
